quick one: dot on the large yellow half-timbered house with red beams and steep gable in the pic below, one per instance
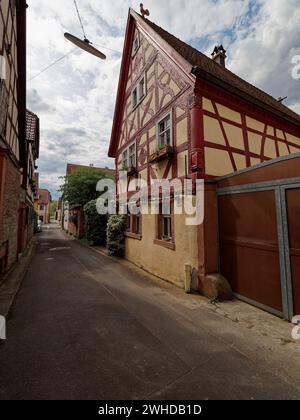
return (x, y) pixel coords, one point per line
(180, 114)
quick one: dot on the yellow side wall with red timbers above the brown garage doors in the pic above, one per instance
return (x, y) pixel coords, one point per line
(260, 137)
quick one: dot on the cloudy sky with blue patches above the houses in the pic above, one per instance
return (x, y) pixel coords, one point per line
(75, 98)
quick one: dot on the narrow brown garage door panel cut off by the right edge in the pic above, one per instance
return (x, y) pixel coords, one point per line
(293, 215)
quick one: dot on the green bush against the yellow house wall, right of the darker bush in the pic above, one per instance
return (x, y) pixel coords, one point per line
(115, 235)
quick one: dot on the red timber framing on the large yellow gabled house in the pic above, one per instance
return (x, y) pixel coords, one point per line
(194, 86)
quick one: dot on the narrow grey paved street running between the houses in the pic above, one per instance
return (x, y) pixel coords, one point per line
(85, 326)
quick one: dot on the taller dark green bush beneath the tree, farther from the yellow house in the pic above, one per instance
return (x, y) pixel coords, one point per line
(96, 224)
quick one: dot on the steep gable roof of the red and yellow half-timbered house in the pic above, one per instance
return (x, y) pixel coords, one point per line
(196, 64)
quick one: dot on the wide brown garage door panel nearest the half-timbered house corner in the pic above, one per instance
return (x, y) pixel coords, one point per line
(249, 250)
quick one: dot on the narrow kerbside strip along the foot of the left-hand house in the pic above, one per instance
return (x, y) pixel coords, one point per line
(12, 281)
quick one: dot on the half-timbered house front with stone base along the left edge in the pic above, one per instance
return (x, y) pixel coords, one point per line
(16, 151)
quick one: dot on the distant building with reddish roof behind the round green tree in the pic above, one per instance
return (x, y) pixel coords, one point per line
(73, 216)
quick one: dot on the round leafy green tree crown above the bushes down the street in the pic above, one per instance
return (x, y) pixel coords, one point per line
(80, 187)
